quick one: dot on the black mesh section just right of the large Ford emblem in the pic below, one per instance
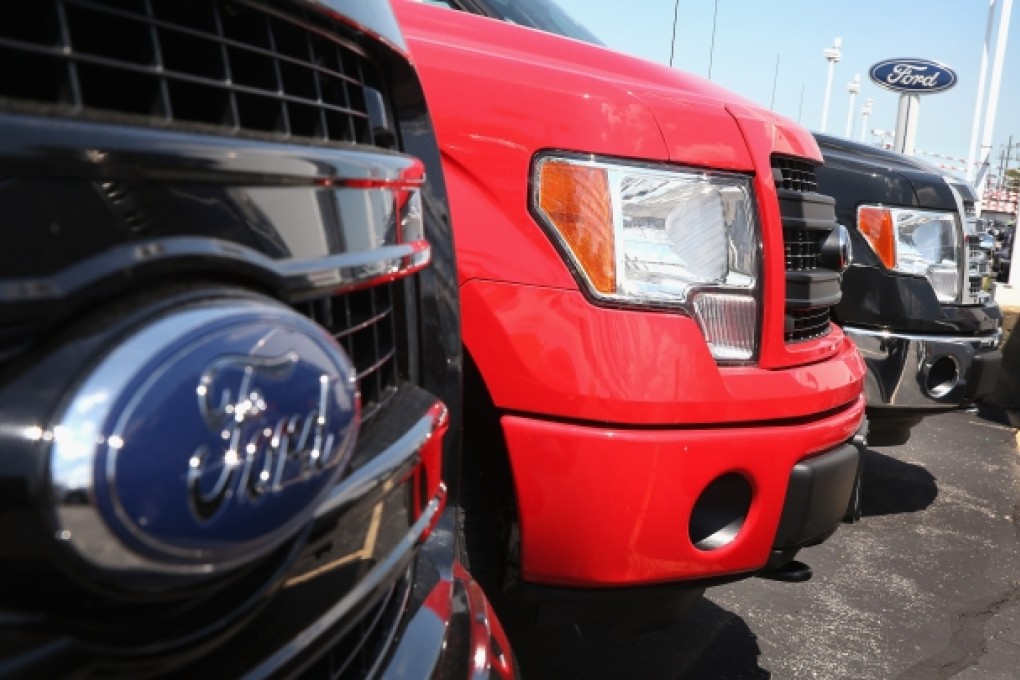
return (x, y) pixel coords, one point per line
(364, 323)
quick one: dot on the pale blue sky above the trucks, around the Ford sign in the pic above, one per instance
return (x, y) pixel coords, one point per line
(752, 35)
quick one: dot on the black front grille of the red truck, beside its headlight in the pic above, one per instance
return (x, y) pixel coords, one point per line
(803, 238)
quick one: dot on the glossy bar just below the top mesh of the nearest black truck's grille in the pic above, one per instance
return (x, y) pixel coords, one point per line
(96, 150)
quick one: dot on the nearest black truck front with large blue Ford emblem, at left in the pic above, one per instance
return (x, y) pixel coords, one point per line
(230, 352)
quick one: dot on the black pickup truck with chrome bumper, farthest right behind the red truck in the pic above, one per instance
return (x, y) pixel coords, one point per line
(916, 299)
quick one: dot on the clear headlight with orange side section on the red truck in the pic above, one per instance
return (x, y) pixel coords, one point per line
(653, 237)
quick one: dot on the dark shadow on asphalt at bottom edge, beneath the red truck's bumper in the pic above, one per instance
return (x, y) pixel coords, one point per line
(707, 642)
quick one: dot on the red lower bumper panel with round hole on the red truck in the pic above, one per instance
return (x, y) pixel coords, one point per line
(602, 507)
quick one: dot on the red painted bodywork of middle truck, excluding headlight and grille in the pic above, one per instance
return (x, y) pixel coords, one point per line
(607, 502)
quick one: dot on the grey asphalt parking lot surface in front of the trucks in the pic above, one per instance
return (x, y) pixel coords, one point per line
(927, 586)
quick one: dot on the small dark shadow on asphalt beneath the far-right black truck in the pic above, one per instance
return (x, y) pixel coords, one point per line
(892, 487)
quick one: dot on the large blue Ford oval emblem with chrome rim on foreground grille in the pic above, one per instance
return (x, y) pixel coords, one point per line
(203, 441)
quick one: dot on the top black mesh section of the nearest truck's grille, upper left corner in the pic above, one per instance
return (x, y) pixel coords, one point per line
(235, 67)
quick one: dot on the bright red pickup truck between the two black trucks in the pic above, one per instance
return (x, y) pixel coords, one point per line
(646, 276)
